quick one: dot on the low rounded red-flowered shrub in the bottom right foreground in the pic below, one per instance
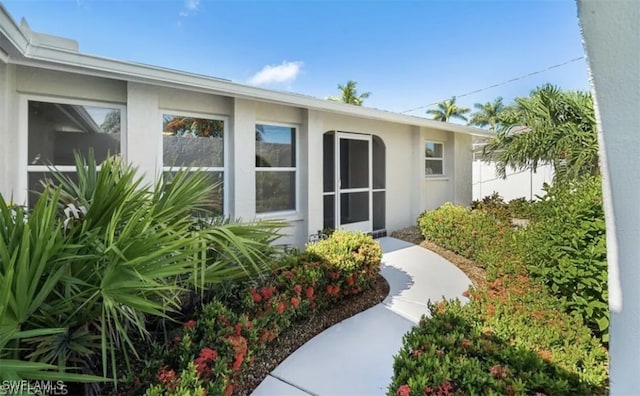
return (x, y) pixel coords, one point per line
(502, 343)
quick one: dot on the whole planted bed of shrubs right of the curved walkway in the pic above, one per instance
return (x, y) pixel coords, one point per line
(523, 332)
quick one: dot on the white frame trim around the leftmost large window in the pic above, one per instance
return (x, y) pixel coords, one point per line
(23, 137)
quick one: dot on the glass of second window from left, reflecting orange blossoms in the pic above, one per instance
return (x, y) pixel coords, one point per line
(196, 142)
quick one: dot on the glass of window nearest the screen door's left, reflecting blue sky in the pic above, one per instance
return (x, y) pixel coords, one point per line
(275, 168)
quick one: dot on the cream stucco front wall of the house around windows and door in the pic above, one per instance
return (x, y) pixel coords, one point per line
(408, 192)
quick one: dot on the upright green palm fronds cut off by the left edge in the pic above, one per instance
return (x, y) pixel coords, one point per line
(32, 251)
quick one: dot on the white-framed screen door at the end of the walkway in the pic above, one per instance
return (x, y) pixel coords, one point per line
(354, 182)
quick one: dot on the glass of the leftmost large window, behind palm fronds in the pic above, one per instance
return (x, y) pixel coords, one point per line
(57, 129)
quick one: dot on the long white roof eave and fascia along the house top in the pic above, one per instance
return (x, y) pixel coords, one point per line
(34, 53)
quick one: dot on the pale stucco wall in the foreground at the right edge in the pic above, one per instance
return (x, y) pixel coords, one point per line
(611, 34)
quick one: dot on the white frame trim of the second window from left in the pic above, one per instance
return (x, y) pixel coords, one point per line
(225, 151)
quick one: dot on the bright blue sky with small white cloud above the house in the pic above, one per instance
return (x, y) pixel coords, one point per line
(406, 53)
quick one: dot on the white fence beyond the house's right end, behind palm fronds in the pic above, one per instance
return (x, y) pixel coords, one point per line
(518, 184)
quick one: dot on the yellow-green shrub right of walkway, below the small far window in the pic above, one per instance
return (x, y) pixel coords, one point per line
(461, 230)
